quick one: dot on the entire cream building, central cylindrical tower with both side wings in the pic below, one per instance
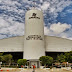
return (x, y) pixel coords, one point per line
(34, 43)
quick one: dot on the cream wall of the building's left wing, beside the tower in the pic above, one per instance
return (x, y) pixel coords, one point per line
(14, 44)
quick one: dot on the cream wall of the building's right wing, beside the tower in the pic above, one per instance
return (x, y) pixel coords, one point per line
(56, 44)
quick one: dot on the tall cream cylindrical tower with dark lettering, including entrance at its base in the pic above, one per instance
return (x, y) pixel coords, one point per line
(34, 37)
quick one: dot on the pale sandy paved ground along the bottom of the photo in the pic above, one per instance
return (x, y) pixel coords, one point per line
(30, 70)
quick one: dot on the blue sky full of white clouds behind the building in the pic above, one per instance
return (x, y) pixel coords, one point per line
(57, 17)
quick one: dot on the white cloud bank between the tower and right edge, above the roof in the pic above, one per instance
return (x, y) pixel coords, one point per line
(58, 30)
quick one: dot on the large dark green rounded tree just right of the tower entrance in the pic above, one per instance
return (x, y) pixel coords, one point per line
(46, 60)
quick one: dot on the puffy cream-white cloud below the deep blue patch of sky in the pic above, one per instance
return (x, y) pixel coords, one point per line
(59, 28)
